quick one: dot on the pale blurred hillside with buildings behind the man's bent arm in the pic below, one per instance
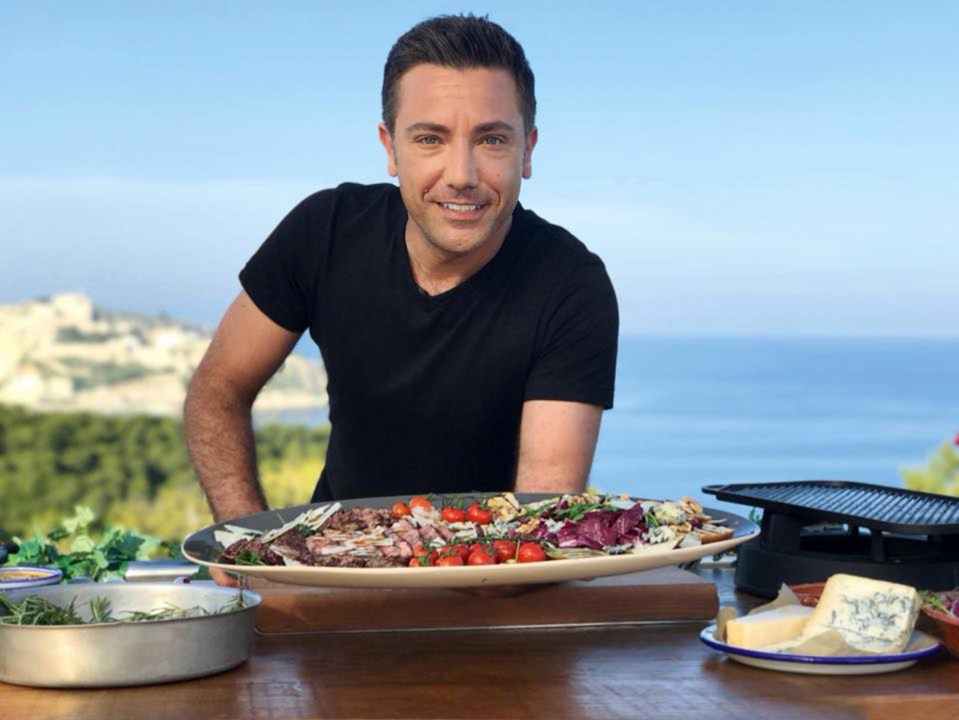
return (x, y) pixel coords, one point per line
(62, 353)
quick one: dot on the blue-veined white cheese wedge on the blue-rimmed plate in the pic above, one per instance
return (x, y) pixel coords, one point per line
(871, 615)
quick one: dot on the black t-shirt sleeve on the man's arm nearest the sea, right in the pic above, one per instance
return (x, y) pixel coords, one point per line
(577, 357)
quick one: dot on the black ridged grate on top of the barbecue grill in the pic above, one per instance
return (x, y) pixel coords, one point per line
(882, 508)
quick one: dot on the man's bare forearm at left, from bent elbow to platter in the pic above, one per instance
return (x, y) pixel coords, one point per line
(219, 435)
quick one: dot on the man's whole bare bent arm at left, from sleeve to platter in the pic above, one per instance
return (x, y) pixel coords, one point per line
(245, 352)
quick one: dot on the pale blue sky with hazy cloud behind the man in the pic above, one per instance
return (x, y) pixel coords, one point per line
(743, 168)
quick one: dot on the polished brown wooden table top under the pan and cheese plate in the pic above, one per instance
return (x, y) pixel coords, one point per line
(656, 670)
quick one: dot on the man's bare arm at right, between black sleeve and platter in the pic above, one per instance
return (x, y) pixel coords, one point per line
(557, 440)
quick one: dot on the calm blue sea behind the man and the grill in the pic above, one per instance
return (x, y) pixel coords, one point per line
(693, 412)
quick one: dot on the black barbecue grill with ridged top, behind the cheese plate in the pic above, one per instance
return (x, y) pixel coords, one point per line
(812, 529)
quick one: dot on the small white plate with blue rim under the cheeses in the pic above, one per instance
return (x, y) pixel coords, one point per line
(820, 664)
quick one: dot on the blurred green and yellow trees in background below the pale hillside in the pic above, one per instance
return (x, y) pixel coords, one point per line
(131, 471)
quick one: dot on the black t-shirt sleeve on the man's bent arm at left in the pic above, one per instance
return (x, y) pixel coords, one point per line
(280, 277)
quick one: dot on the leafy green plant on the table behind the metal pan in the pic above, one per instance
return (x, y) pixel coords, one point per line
(84, 556)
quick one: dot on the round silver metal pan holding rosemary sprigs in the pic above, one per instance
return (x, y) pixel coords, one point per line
(128, 653)
